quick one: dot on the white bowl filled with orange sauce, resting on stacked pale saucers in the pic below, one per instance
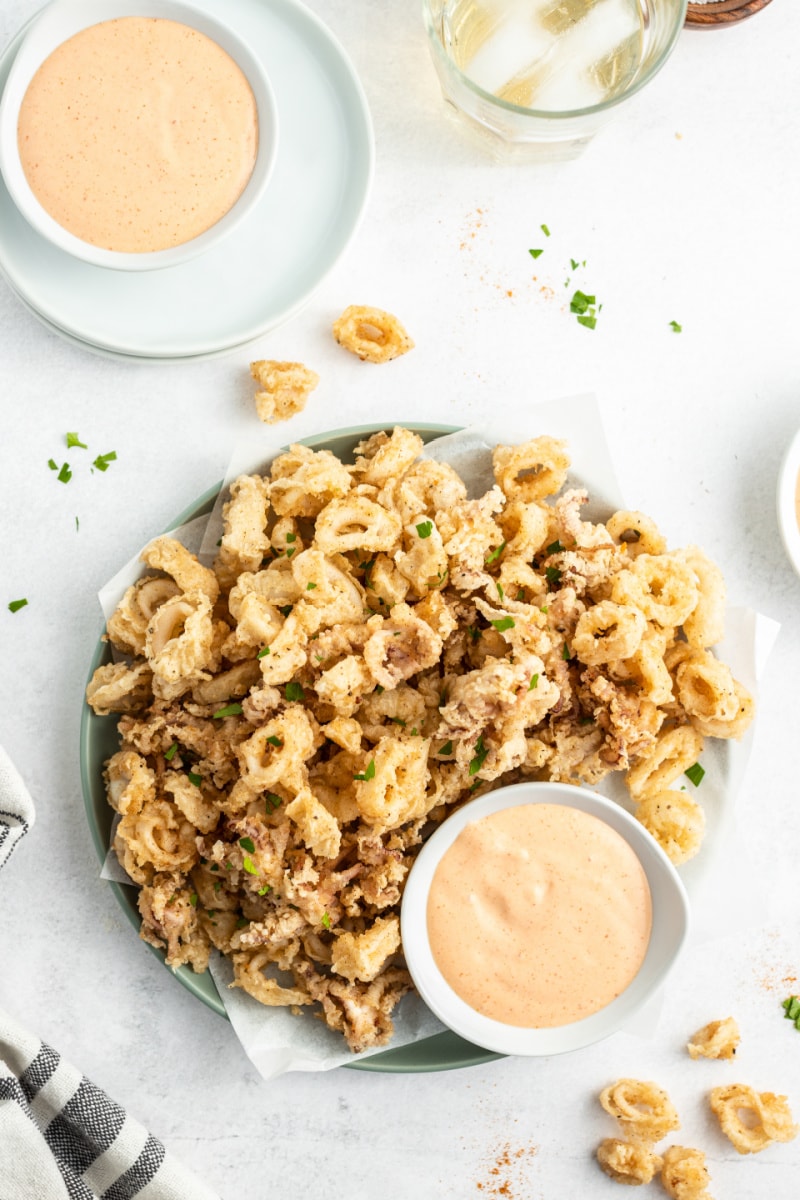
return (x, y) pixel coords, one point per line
(136, 134)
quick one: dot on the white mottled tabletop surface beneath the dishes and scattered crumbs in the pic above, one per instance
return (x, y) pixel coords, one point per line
(685, 209)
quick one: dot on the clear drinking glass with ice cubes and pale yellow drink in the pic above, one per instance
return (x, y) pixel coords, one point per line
(536, 80)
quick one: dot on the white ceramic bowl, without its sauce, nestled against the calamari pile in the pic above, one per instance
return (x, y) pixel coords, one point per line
(667, 937)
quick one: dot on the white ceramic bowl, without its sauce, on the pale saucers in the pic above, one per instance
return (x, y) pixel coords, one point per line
(62, 21)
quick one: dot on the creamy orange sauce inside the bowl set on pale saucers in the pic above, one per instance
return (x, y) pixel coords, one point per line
(139, 134)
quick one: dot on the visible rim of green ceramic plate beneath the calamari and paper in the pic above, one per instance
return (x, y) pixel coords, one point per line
(99, 742)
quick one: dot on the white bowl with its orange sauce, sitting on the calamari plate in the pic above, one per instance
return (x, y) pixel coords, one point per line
(540, 917)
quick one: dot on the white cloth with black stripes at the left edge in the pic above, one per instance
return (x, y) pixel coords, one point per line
(62, 1137)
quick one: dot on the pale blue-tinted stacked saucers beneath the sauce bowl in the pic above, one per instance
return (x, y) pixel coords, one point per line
(266, 271)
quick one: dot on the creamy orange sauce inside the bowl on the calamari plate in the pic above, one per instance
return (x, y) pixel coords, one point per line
(539, 915)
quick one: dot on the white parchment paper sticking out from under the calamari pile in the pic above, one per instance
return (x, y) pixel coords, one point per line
(717, 880)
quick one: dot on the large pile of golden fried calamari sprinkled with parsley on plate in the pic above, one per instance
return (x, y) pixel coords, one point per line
(372, 650)
